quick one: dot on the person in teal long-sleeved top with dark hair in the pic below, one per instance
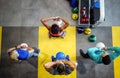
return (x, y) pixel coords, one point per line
(101, 53)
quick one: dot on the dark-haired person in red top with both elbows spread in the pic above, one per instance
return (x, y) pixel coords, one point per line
(56, 29)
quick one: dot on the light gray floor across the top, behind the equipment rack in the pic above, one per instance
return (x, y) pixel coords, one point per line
(29, 12)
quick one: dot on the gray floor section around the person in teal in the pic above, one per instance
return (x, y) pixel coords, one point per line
(86, 67)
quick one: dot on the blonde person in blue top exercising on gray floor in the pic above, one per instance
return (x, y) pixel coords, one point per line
(22, 52)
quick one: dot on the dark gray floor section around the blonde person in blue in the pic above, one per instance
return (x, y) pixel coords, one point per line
(11, 37)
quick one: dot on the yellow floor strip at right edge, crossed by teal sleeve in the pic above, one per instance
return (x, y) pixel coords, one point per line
(116, 42)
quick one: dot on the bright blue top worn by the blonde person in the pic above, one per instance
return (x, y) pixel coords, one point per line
(23, 54)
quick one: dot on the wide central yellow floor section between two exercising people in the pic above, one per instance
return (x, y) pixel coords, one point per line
(51, 46)
